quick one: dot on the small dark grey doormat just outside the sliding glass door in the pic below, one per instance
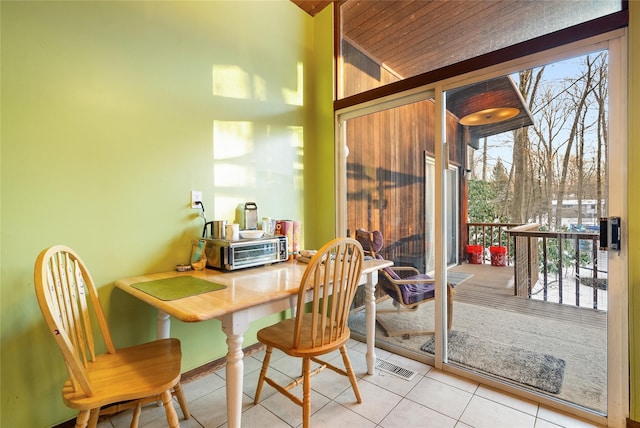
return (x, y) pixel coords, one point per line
(541, 371)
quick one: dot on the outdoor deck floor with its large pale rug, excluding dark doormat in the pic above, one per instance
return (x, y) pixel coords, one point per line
(576, 335)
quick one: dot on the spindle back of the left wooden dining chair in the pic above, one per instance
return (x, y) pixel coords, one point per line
(62, 283)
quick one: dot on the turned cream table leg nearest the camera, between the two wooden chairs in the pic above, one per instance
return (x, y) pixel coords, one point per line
(234, 325)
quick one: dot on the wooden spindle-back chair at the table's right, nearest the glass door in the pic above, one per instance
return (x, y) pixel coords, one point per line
(319, 327)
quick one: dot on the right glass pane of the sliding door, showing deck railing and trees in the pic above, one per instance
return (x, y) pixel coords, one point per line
(532, 310)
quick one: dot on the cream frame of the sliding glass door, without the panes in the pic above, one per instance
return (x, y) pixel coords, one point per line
(617, 325)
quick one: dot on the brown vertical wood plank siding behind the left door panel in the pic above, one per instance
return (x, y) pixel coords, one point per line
(385, 168)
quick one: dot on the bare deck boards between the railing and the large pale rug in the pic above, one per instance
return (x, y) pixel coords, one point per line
(492, 287)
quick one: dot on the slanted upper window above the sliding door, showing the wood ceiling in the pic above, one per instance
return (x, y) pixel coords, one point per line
(386, 41)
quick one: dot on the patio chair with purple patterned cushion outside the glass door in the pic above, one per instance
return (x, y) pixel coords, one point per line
(405, 285)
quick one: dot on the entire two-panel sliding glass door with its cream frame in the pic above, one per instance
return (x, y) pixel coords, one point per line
(530, 206)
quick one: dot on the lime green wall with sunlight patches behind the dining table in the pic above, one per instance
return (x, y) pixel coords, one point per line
(112, 112)
